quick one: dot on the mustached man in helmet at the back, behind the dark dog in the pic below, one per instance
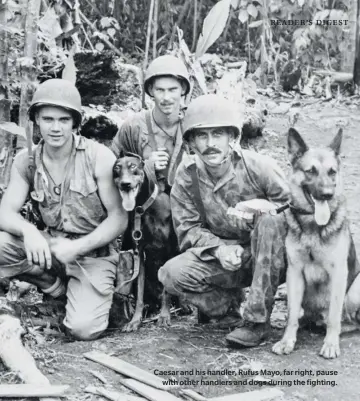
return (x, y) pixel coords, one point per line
(156, 135)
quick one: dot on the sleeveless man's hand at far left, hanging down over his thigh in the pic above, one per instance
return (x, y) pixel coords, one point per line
(36, 247)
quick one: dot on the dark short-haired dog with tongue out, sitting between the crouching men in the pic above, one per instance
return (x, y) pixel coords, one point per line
(156, 239)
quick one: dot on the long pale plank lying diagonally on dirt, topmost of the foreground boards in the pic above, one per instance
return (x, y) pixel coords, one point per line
(127, 369)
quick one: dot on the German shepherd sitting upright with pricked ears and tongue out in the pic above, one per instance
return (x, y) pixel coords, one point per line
(322, 265)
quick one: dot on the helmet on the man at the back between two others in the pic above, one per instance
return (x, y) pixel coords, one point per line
(167, 66)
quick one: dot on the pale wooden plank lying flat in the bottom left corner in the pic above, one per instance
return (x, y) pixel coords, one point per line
(31, 390)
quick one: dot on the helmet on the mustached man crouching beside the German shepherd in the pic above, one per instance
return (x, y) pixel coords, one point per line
(210, 111)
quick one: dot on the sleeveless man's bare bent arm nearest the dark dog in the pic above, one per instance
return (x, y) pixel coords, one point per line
(116, 222)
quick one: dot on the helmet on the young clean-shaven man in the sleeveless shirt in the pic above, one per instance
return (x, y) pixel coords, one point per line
(57, 92)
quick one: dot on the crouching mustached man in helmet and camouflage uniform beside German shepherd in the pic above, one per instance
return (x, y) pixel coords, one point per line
(221, 254)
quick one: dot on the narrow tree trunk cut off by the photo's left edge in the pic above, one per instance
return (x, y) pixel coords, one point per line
(6, 139)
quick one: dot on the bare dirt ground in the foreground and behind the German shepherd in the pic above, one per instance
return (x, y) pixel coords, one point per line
(188, 346)
